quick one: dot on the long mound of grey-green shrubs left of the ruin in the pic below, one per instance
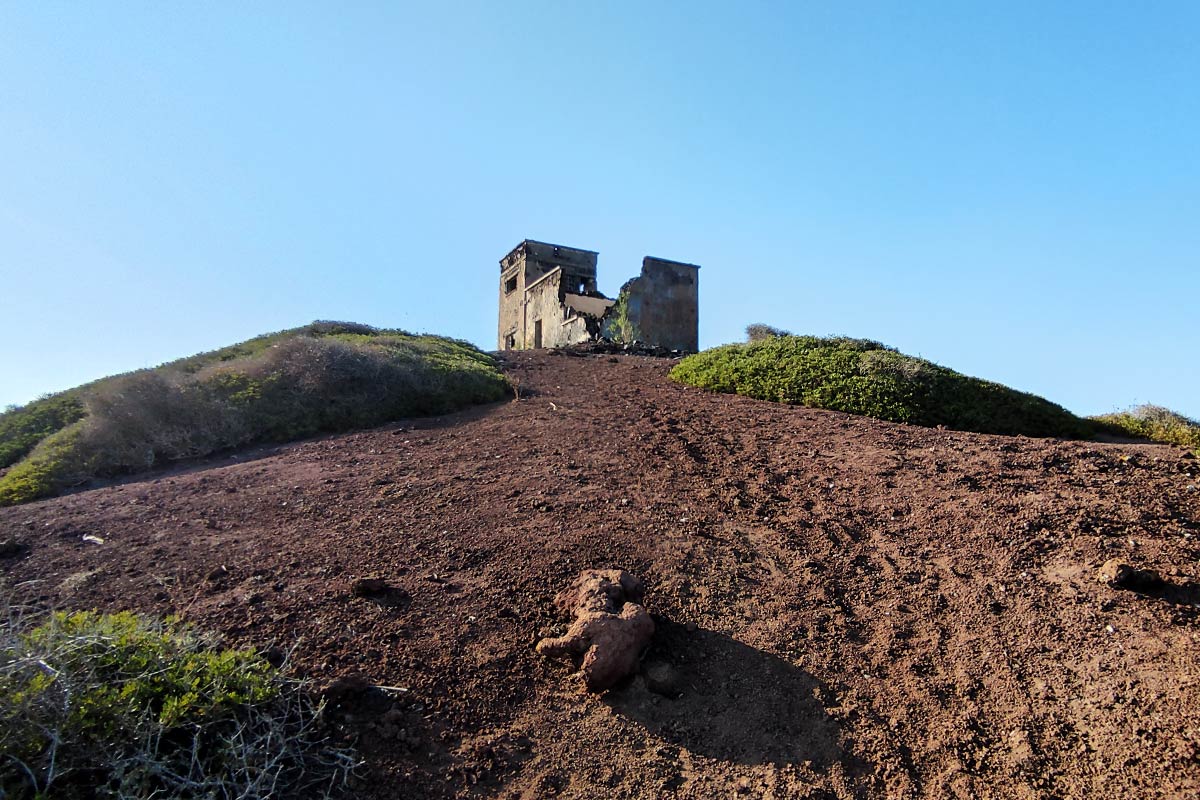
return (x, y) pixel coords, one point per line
(327, 377)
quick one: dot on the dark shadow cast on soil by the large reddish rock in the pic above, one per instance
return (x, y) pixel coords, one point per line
(724, 700)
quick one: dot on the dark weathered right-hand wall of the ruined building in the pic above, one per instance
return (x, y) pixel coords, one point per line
(664, 304)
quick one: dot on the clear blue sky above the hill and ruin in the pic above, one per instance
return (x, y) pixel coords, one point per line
(1009, 189)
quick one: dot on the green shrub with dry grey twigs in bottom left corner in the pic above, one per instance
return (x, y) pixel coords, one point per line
(117, 706)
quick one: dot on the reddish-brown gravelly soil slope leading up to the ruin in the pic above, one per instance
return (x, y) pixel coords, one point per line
(848, 609)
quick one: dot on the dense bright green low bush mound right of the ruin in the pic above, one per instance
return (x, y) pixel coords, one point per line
(865, 377)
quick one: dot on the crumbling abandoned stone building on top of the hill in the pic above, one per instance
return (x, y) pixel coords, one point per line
(549, 298)
